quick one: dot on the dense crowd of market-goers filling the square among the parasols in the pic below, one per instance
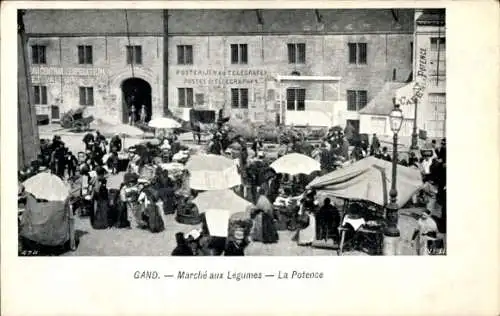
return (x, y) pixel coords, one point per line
(148, 192)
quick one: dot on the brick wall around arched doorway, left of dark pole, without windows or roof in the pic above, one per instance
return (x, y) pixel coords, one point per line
(63, 75)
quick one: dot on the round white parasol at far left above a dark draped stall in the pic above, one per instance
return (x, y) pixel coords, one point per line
(46, 186)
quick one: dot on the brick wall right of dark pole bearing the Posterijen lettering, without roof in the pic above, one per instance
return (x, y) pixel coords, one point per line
(326, 55)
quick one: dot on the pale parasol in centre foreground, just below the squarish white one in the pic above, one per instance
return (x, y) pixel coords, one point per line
(221, 199)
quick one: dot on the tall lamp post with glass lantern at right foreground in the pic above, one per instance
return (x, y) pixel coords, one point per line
(391, 231)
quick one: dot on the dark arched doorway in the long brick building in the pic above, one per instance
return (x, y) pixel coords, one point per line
(136, 92)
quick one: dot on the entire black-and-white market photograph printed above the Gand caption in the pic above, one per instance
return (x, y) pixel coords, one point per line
(232, 132)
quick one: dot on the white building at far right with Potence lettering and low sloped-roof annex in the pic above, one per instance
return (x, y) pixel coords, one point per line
(428, 86)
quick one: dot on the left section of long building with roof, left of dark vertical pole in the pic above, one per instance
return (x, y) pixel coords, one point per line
(95, 66)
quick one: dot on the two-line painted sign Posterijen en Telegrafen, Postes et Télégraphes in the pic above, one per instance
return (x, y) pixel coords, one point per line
(222, 77)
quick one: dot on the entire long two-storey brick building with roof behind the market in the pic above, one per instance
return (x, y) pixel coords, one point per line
(334, 62)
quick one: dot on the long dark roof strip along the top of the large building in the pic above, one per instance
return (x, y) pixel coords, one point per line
(209, 21)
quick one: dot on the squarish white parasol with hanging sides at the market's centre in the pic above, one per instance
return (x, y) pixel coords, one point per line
(212, 172)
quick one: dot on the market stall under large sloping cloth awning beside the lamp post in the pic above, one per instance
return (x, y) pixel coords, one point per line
(363, 186)
